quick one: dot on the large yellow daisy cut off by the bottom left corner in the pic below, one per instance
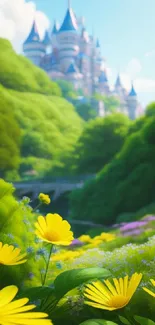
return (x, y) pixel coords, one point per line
(15, 312)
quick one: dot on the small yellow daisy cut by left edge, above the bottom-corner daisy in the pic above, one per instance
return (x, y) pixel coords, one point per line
(9, 255)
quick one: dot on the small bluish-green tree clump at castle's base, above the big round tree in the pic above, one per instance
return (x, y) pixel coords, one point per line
(86, 111)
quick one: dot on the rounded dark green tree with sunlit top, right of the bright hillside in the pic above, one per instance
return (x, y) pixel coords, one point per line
(100, 141)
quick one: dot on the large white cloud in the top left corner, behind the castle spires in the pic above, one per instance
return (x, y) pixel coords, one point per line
(16, 18)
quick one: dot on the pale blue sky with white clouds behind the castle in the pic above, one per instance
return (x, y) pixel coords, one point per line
(125, 29)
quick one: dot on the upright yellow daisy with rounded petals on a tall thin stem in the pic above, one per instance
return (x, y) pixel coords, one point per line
(53, 229)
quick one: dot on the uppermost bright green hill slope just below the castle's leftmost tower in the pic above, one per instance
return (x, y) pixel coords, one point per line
(18, 73)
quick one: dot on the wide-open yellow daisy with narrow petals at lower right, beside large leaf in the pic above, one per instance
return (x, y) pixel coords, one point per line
(110, 297)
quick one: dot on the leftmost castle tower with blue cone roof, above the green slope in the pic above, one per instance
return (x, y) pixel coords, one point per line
(33, 48)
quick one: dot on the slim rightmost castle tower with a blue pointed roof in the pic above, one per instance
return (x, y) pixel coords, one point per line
(132, 103)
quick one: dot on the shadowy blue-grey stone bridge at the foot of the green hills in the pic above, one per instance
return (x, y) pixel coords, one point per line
(57, 186)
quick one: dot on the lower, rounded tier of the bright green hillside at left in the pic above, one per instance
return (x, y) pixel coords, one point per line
(45, 132)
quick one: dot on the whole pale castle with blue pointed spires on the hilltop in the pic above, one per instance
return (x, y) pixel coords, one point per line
(71, 54)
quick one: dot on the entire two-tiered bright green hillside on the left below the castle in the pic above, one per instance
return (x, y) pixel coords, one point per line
(49, 124)
